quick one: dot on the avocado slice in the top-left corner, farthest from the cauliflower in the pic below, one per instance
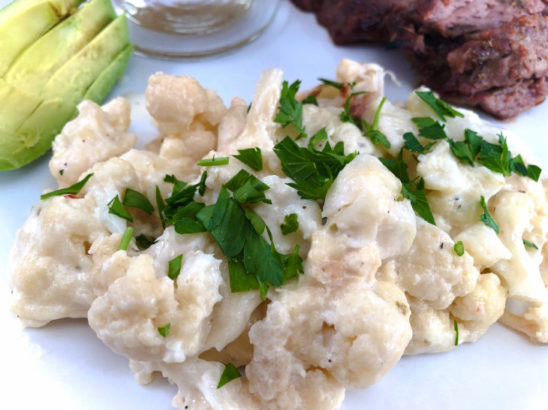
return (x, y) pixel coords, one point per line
(24, 21)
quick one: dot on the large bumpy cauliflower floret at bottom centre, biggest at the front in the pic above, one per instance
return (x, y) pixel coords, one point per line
(337, 330)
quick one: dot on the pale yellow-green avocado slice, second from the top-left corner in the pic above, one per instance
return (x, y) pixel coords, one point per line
(35, 66)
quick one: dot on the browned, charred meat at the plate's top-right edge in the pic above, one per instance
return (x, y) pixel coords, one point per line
(487, 53)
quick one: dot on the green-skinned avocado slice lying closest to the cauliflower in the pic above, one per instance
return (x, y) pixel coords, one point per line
(64, 90)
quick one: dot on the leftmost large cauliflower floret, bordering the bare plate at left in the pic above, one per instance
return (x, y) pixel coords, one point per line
(50, 265)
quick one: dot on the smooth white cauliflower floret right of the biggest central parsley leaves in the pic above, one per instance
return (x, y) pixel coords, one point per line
(363, 205)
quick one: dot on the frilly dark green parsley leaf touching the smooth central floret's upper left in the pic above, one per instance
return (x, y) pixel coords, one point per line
(311, 170)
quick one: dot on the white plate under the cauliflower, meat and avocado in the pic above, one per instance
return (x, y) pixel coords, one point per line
(64, 365)
